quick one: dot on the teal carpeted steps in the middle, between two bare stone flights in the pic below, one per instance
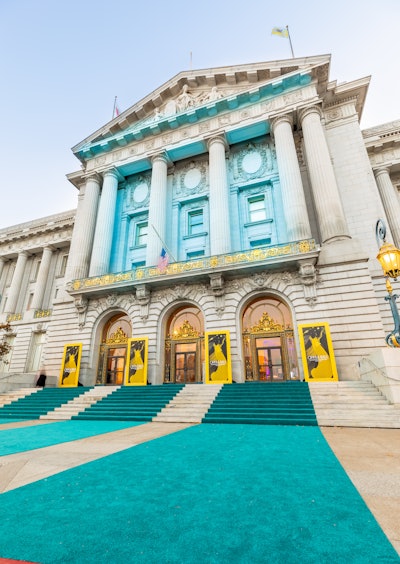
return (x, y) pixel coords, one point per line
(131, 403)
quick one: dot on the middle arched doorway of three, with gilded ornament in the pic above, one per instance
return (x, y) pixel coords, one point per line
(184, 346)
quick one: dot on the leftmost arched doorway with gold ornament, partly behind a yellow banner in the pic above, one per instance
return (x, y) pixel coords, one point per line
(113, 348)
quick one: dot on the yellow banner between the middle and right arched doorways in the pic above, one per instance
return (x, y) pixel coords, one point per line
(218, 358)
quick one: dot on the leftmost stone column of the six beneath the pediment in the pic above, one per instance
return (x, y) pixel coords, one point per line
(82, 236)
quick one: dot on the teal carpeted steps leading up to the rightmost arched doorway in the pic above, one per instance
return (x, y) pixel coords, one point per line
(283, 403)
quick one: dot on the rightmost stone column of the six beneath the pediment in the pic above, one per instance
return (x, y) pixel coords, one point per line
(331, 218)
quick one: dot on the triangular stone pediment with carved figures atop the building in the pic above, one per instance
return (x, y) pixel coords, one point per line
(209, 90)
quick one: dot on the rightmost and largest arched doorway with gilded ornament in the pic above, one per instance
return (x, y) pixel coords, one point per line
(268, 341)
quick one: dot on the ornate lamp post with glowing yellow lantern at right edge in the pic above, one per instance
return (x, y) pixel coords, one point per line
(389, 258)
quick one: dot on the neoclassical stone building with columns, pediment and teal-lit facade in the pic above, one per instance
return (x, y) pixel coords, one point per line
(264, 192)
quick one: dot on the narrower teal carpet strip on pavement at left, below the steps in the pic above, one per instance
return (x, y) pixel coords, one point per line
(39, 436)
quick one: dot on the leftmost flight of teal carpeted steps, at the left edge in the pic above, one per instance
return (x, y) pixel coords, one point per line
(39, 403)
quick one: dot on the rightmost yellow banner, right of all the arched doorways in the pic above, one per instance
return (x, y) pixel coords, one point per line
(317, 352)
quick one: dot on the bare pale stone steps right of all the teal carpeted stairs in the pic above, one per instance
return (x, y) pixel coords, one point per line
(353, 404)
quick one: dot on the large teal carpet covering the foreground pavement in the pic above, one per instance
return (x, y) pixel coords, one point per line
(211, 494)
